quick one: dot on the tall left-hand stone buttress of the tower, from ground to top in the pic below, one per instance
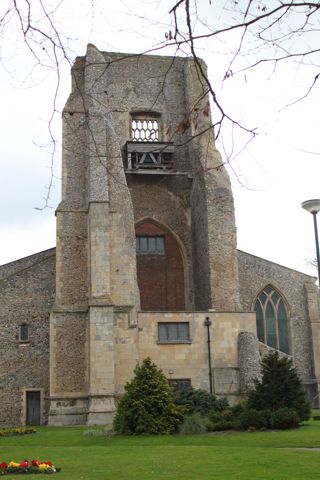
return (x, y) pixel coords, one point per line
(96, 274)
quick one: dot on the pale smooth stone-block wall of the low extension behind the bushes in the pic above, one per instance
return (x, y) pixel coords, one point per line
(190, 360)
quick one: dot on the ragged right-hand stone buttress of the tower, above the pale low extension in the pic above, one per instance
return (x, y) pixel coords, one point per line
(213, 221)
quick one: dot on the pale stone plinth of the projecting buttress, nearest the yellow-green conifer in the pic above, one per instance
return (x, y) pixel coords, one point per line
(101, 410)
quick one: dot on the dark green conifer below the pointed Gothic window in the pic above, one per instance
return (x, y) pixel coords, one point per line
(279, 387)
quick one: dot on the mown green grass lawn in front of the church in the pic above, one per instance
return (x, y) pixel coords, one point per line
(234, 456)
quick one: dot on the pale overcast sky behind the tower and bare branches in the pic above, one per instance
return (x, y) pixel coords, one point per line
(271, 177)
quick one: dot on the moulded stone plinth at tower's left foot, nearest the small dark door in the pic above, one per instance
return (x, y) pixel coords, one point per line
(68, 411)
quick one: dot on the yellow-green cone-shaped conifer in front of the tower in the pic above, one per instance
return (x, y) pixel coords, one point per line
(148, 406)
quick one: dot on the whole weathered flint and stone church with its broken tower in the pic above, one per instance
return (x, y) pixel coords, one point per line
(99, 325)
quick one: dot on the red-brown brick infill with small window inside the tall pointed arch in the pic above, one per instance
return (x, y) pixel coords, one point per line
(160, 267)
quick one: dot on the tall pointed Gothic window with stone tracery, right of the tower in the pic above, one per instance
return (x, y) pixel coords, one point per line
(272, 319)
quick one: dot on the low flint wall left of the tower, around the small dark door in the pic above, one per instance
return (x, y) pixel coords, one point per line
(26, 296)
